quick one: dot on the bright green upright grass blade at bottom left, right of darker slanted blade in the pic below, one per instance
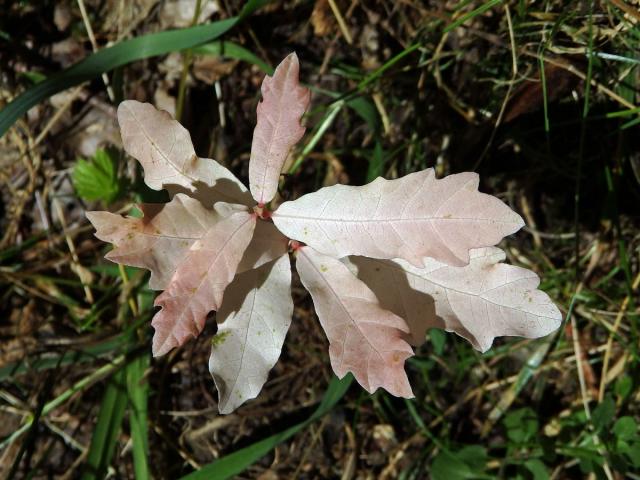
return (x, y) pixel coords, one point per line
(138, 391)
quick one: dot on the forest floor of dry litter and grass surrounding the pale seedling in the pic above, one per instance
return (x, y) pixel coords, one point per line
(540, 98)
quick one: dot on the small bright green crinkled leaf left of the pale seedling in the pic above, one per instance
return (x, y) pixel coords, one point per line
(97, 178)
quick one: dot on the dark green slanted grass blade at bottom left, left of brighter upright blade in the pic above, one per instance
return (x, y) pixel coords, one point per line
(105, 435)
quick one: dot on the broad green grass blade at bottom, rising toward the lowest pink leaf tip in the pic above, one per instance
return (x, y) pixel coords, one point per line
(230, 465)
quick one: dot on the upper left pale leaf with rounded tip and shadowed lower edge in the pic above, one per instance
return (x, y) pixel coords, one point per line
(166, 153)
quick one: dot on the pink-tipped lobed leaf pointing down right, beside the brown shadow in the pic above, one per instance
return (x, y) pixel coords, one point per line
(364, 338)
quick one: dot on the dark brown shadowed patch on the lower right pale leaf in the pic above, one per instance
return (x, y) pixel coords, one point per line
(395, 293)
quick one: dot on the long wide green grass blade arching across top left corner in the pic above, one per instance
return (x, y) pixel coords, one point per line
(118, 55)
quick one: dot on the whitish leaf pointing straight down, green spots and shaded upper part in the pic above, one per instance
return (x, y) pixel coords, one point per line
(254, 319)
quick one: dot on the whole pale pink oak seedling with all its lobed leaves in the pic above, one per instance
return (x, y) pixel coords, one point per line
(431, 265)
